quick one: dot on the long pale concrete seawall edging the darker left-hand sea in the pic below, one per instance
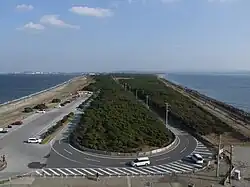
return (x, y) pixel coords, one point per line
(17, 103)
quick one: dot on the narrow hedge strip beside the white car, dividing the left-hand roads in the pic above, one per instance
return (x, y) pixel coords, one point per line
(52, 131)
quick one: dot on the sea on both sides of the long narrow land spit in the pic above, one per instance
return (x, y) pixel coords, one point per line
(229, 88)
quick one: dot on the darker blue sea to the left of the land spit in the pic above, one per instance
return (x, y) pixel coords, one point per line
(15, 86)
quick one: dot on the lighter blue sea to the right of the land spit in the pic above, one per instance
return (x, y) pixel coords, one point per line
(231, 89)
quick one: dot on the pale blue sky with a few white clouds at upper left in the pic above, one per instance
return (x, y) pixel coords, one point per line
(117, 35)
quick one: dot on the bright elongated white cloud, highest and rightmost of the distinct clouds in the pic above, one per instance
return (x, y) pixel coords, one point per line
(87, 11)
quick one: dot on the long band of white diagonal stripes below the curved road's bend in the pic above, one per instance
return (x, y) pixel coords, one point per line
(174, 167)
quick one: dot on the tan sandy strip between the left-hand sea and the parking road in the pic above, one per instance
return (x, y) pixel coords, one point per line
(13, 111)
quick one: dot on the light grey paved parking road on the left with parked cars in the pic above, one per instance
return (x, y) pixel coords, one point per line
(20, 156)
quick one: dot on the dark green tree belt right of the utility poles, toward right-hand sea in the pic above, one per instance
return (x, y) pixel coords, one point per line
(183, 111)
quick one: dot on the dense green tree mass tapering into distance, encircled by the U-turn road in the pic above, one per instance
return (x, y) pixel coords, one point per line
(117, 122)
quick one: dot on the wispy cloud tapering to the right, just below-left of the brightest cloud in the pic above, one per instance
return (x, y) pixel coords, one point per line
(54, 20)
